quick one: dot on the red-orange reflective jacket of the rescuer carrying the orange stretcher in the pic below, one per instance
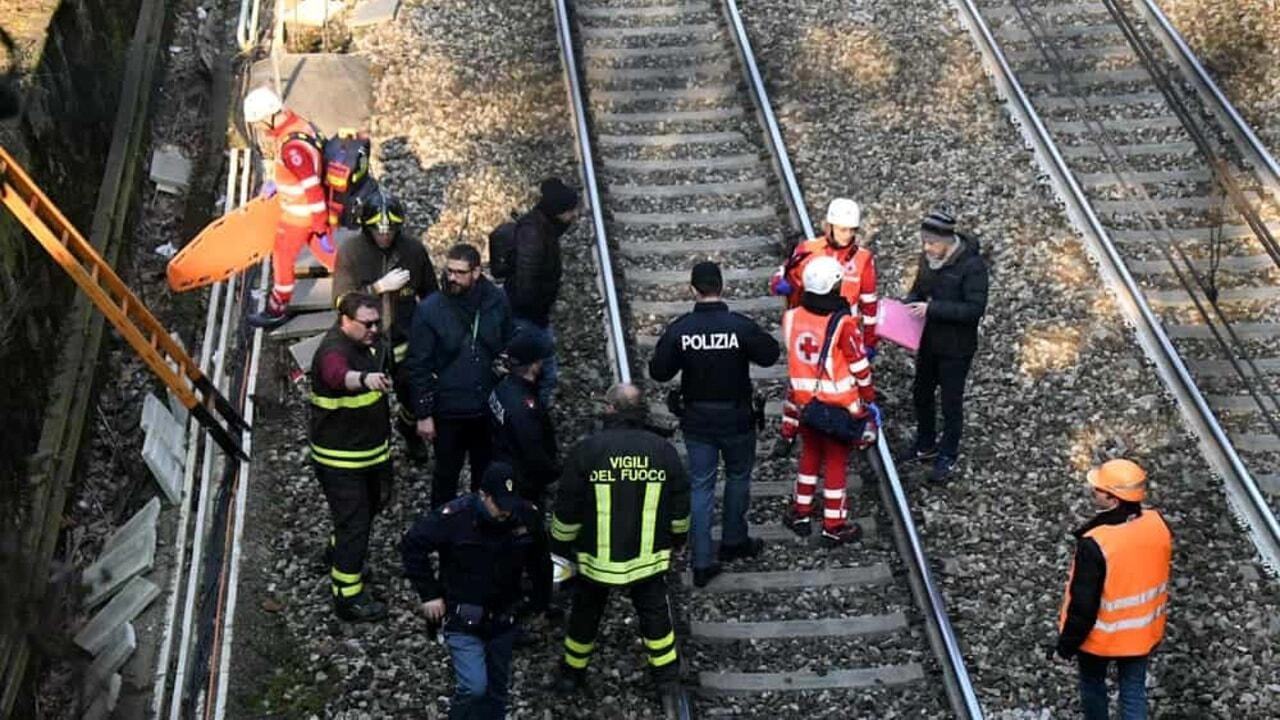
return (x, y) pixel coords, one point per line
(299, 165)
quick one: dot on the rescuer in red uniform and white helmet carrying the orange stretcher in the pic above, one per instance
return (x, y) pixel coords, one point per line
(298, 186)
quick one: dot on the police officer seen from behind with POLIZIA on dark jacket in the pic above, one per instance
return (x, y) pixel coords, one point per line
(714, 349)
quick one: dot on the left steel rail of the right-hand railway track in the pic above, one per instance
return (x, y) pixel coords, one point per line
(1241, 487)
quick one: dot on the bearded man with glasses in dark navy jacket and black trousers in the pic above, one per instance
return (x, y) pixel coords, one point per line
(456, 338)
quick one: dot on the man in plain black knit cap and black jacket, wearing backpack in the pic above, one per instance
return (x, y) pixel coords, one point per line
(536, 280)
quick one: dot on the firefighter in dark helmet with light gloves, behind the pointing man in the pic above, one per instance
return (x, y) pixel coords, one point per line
(386, 263)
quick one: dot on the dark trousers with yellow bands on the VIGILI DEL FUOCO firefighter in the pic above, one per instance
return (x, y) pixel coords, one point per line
(653, 607)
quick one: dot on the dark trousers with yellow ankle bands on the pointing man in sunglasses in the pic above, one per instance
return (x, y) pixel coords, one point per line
(355, 499)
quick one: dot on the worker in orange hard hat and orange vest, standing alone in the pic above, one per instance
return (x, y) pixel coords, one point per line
(1118, 594)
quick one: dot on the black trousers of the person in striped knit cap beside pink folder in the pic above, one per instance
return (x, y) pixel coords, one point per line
(934, 373)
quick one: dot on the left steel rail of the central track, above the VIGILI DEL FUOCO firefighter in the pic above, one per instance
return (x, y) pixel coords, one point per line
(587, 161)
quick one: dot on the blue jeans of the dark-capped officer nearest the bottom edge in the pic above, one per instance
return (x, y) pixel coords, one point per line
(482, 667)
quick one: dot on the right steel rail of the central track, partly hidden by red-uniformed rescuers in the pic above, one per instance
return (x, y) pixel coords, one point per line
(943, 637)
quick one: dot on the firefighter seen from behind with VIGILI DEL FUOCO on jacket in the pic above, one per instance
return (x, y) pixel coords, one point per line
(621, 508)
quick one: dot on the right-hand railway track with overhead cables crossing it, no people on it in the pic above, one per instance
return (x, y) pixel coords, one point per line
(1178, 202)
